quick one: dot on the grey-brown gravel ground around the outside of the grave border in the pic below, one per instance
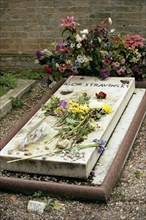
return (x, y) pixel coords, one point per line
(127, 200)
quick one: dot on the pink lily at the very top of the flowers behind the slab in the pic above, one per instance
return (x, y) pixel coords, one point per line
(69, 23)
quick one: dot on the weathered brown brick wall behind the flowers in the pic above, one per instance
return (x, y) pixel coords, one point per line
(29, 25)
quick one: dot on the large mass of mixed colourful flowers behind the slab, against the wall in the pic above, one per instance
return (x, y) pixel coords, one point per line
(100, 52)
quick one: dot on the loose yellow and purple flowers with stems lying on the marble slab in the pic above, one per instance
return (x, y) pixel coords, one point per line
(76, 119)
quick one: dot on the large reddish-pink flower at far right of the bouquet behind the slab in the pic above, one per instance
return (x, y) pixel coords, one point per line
(134, 41)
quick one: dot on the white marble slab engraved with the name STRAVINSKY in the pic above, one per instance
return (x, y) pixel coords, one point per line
(119, 91)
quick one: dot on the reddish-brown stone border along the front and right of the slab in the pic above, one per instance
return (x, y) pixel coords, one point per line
(93, 193)
